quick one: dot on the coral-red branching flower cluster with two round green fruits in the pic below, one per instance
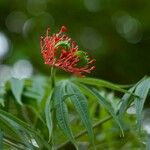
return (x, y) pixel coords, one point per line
(60, 51)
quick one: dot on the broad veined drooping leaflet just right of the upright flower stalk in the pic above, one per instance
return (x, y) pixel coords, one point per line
(61, 111)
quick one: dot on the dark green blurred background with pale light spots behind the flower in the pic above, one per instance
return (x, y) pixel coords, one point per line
(115, 32)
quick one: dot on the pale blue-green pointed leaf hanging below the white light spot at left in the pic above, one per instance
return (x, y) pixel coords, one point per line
(17, 89)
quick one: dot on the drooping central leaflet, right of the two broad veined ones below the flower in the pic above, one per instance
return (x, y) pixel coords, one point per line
(80, 103)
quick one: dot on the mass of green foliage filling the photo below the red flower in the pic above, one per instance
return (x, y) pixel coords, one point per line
(35, 116)
